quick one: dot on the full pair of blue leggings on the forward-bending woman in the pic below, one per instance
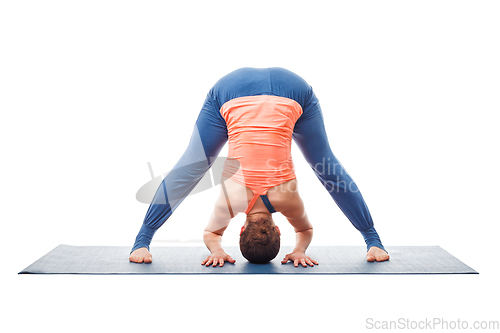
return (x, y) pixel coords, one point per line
(210, 135)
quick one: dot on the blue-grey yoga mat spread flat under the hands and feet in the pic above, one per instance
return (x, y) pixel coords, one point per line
(66, 259)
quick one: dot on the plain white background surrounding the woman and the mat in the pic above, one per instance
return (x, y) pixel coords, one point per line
(90, 91)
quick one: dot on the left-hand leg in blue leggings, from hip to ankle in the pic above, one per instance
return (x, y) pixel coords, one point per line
(208, 138)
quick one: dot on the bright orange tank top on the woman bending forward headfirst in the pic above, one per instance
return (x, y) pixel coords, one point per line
(260, 136)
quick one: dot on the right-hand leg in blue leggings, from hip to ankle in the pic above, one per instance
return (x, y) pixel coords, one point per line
(310, 136)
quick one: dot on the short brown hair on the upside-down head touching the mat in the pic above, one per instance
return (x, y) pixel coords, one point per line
(260, 241)
